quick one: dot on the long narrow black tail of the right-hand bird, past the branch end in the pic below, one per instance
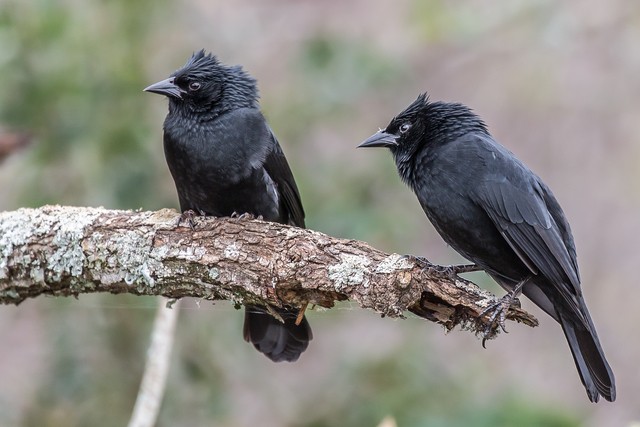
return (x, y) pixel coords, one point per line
(595, 372)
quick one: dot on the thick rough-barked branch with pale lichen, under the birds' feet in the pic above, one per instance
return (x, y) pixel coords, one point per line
(64, 251)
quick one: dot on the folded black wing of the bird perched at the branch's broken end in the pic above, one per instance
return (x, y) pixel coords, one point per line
(531, 221)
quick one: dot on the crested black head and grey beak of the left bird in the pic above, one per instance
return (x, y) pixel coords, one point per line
(203, 82)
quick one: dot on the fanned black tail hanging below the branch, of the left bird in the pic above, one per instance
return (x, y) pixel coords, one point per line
(277, 340)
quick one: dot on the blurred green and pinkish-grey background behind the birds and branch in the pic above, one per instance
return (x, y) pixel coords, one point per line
(557, 83)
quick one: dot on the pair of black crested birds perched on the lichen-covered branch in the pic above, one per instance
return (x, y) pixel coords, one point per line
(482, 200)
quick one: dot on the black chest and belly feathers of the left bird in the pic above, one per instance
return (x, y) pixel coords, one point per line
(218, 166)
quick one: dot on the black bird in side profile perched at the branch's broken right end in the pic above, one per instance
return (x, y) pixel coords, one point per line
(494, 211)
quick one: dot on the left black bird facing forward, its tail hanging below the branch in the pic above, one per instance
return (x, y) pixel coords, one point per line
(225, 160)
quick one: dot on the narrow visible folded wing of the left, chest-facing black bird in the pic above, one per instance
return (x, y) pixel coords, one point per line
(278, 169)
